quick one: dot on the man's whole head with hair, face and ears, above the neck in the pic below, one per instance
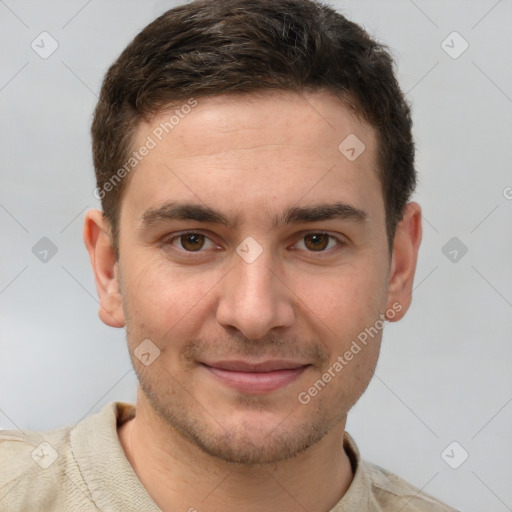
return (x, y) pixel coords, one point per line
(254, 160)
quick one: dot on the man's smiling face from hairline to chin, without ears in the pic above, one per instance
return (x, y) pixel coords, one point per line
(253, 253)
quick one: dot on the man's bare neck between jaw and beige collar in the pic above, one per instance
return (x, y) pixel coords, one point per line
(179, 476)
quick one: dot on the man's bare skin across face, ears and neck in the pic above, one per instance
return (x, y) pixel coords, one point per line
(195, 441)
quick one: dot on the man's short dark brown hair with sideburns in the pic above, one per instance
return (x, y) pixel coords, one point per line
(207, 48)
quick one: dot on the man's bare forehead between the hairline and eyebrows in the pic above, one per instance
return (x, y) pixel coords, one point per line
(237, 150)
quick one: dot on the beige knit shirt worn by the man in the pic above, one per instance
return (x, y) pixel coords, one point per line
(83, 468)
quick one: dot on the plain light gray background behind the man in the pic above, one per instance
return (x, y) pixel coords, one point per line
(445, 371)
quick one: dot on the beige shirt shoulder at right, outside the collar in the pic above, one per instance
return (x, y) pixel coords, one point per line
(390, 491)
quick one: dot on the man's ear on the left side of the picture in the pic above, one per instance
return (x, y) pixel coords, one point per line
(105, 267)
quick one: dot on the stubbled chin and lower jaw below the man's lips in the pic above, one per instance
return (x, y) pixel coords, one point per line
(250, 431)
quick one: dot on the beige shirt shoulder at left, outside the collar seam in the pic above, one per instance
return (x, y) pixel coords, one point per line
(37, 470)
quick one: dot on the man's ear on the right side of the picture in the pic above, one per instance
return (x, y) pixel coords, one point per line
(403, 263)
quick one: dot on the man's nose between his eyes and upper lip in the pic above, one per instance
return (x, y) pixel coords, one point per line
(255, 298)
